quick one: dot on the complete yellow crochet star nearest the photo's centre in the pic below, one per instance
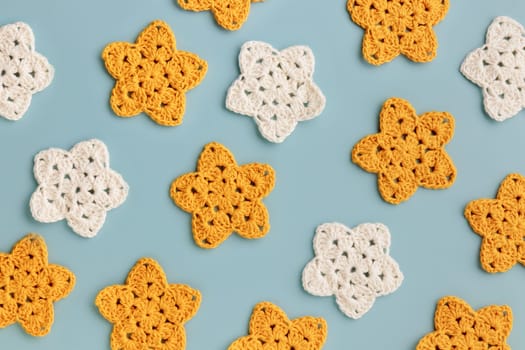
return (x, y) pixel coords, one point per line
(224, 197)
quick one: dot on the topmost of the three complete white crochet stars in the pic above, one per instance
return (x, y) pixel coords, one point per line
(276, 88)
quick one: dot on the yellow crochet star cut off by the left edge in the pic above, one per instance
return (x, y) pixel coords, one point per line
(29, 286)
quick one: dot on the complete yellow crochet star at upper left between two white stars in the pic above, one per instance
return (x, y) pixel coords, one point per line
(152, 75)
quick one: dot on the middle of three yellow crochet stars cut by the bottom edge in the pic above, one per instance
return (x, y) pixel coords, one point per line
(270, 328)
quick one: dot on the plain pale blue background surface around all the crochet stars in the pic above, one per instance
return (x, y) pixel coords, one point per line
(316, 181)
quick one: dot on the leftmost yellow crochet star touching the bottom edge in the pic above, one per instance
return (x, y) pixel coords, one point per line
(147, 312)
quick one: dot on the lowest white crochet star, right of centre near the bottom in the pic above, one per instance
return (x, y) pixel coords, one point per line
(352, 264)
